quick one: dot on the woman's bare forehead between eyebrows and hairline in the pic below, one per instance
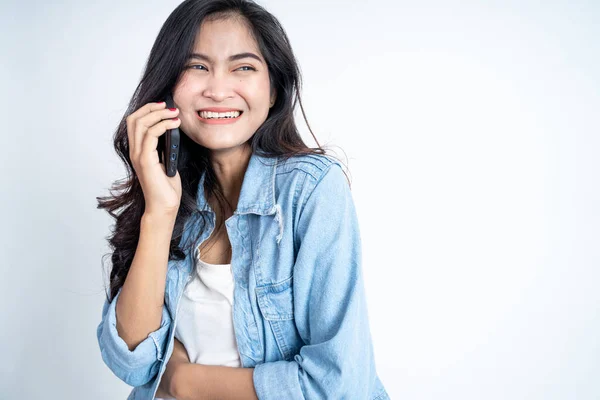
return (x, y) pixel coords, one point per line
(226, 36)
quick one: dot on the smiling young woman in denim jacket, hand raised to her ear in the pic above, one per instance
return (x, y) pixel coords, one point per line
(240, 277)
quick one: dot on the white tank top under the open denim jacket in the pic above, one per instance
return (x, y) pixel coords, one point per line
(204, 317)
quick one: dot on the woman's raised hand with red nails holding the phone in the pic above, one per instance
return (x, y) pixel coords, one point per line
(144, 126)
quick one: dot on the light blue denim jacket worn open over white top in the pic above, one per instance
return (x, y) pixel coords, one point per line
(299, 312)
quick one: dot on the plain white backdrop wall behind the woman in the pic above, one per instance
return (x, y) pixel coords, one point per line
(472, 136)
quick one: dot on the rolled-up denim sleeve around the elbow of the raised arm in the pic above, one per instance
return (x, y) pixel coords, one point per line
(136, 367)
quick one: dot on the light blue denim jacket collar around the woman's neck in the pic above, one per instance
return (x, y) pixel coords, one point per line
(258, 188)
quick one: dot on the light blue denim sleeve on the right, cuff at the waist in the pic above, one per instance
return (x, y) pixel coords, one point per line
(330, 308)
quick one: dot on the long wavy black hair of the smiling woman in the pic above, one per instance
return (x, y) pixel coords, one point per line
(278, 136)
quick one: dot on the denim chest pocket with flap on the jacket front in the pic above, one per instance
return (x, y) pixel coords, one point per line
(276, 304)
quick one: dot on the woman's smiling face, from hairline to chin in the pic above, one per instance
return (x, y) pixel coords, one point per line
(214, 80)
